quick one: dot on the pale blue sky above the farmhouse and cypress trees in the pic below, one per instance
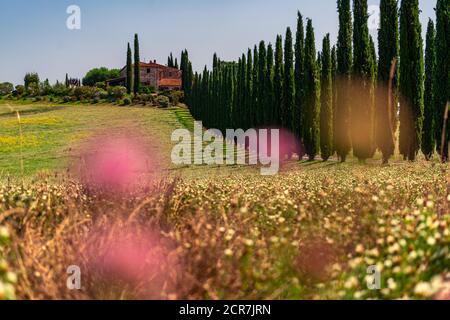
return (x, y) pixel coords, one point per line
(34, 36)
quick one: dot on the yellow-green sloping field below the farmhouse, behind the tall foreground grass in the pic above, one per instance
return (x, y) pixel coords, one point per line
(49, 132)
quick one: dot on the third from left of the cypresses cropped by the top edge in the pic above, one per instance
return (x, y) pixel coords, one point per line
(388, 50)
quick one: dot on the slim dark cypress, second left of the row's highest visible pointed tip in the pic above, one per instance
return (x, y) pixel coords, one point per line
(278, 81)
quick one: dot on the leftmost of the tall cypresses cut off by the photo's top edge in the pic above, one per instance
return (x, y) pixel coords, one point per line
(344, 68)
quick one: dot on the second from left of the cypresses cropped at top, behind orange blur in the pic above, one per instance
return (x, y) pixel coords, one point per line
(362, 107)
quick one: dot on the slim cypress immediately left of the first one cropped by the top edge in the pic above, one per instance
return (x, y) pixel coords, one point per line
(326, 105)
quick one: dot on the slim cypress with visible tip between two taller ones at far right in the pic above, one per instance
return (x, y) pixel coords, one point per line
(428, 135)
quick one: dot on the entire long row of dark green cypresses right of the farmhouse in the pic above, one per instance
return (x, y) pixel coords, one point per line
(343, 98)
